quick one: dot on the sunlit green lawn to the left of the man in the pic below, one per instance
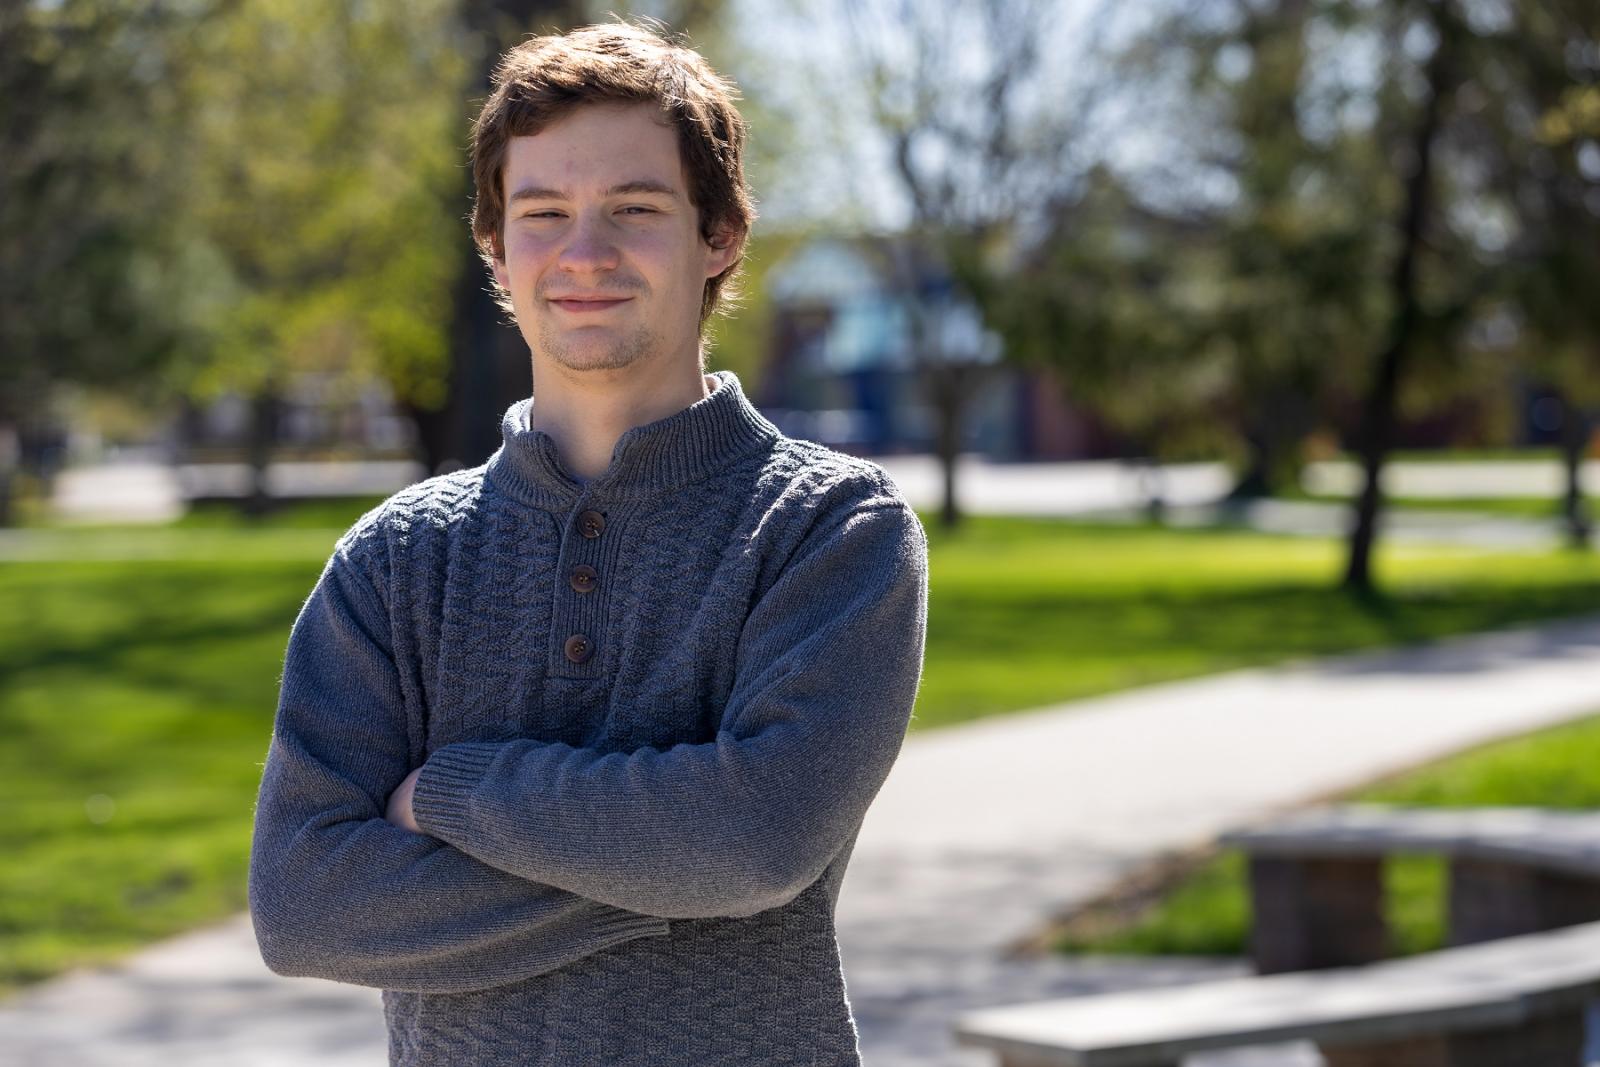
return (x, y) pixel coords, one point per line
(137, 701)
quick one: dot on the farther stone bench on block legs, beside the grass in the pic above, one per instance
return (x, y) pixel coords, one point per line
(1316, 877)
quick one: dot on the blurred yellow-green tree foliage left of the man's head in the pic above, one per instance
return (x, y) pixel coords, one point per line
(220, 196)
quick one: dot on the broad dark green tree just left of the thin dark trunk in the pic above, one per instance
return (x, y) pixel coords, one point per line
(1206, 298)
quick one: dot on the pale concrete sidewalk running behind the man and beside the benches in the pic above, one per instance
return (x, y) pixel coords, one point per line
(982, 836)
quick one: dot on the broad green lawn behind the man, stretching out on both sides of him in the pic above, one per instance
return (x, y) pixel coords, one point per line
(138, 676)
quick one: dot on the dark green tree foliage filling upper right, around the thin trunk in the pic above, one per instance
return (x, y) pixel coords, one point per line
(1231, 294)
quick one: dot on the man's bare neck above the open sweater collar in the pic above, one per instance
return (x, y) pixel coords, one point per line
(586, 412)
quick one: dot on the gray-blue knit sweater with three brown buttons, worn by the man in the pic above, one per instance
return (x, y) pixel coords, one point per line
(650, 714)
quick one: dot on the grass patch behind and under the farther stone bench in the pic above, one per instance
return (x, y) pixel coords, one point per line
(1207, 913)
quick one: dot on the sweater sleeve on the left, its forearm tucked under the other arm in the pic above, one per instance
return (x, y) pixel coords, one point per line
(340, 893)
